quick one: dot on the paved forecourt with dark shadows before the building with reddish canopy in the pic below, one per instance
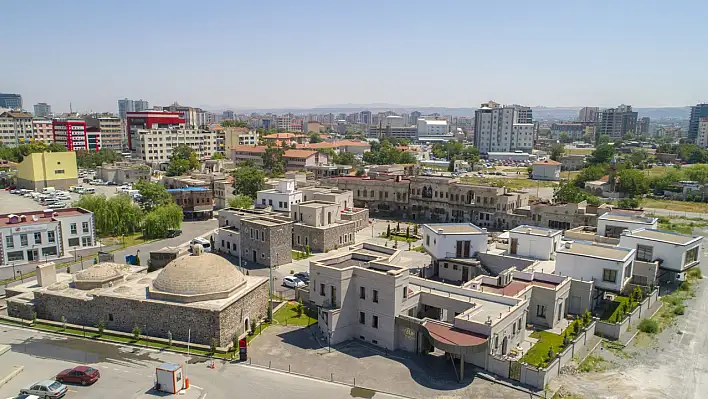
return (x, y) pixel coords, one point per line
(295, 348)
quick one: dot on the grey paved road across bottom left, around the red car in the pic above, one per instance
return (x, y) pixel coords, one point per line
(128, 372)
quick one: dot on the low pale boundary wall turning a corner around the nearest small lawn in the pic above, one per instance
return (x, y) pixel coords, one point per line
(535, 376)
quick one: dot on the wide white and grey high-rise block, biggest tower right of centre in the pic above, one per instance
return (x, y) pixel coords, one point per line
(498, 128)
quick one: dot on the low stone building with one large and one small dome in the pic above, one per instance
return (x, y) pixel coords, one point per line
(200, 297)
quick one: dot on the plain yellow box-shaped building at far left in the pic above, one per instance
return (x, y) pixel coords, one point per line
(48, 169)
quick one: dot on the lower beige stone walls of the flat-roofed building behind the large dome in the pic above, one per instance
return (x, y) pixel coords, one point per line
(323, 239)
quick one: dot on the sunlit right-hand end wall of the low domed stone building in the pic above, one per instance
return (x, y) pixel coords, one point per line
(234, 319)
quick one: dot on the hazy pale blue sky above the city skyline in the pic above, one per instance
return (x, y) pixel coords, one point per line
(307, 53)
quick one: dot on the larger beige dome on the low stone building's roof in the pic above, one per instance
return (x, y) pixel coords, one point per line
(198, 275)
